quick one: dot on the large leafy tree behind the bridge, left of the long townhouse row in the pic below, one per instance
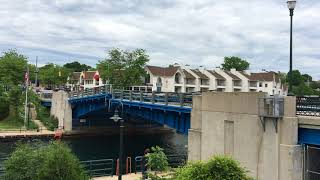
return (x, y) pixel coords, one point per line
(124, 68)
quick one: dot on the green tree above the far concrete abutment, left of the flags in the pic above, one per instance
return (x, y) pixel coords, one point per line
(53, 75)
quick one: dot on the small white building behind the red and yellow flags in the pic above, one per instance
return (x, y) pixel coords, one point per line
(85, 79)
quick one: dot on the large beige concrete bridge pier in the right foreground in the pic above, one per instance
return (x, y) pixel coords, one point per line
(228, 123)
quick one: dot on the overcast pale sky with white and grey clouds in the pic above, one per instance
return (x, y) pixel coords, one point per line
(193, 32)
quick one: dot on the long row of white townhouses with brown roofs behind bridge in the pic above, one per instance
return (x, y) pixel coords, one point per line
(184, 79)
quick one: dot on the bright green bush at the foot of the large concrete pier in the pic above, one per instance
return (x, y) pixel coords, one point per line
(218, 168)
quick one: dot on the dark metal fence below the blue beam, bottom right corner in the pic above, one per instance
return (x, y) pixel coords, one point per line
(311, 162)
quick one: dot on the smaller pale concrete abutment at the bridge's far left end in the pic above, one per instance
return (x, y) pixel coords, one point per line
(61, 109)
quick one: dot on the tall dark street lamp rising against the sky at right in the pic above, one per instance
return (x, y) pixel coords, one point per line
(291, 5)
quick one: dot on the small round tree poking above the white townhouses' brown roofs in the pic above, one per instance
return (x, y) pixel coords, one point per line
(234, 62)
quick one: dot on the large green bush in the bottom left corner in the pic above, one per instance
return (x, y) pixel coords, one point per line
(54, 161)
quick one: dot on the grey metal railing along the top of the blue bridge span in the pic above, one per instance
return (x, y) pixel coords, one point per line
(166, 98)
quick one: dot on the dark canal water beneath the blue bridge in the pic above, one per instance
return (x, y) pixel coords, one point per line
(107, 146)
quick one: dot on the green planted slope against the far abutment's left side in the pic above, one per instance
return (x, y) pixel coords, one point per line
(47, 120)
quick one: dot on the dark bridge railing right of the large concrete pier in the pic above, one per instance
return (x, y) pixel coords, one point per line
(308, 106)
